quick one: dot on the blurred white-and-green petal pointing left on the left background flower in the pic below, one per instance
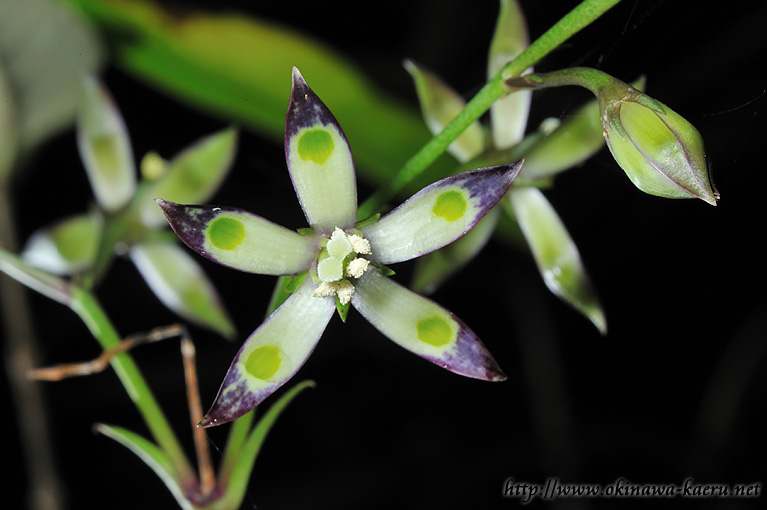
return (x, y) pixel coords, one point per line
(67, 247)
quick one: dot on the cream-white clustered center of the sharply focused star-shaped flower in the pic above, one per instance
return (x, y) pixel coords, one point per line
(339, 260)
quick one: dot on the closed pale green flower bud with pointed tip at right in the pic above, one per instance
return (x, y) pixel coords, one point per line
(660, 151)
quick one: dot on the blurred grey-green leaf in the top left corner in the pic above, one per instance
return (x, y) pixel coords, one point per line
(45, 49)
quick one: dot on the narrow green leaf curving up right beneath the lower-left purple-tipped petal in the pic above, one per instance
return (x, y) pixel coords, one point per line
(237, 478)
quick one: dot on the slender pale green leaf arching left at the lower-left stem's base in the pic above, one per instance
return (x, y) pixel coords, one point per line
(152, 455)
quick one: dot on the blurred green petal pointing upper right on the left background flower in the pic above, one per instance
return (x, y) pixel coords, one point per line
(193, 176)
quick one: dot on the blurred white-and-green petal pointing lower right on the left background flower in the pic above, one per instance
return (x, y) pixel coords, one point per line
(181, 285)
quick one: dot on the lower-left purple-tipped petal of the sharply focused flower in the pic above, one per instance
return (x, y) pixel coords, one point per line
(272, 354)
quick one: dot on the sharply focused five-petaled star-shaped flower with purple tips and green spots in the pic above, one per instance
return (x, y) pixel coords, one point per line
(345, 261)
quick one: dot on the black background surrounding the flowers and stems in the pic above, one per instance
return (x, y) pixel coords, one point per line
(675, 389)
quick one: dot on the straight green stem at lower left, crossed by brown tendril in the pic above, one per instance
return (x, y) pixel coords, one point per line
(85, 305)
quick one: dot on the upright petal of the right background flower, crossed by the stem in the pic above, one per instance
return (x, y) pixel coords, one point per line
(508, 115)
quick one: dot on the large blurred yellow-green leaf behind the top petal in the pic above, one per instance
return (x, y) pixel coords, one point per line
(238, 67)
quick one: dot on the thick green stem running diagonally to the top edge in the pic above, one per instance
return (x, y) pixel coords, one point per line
(580, 17)
